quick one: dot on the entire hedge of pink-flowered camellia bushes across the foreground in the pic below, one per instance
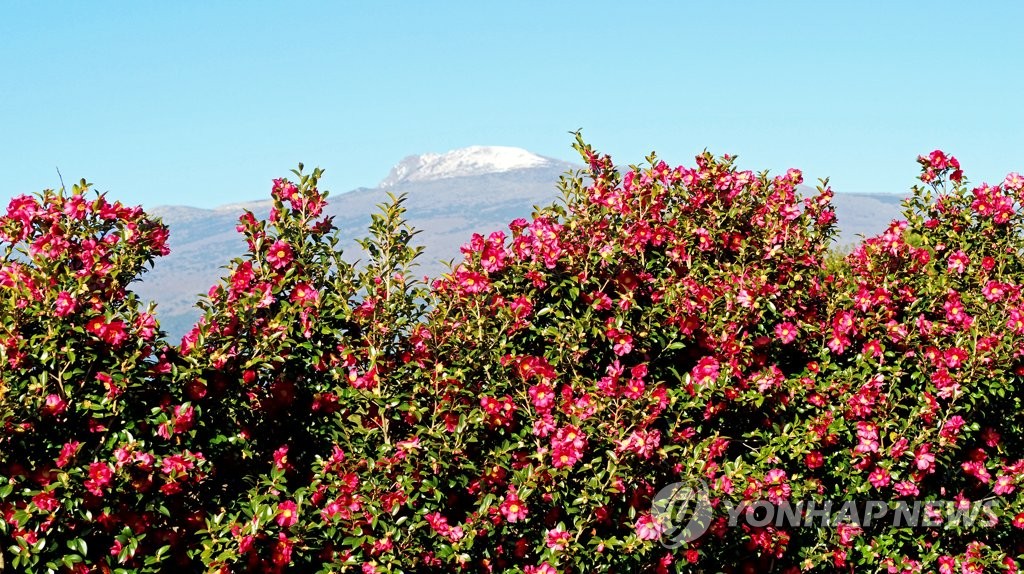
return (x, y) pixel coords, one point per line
(659, 326)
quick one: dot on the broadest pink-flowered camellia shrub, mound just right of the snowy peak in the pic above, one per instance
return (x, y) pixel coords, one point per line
(631, 344)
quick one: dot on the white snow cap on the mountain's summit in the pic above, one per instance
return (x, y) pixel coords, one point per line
(477, 160)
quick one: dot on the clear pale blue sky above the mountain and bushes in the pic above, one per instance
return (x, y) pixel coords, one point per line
(205, 103)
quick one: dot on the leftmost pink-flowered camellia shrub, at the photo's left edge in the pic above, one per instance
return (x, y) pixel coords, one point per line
(84, 477)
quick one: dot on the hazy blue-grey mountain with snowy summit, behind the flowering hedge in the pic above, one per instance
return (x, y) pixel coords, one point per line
(450, 197)
